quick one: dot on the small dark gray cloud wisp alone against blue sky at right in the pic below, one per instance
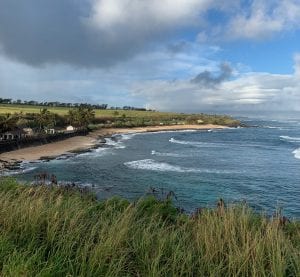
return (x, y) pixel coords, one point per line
(208, 79)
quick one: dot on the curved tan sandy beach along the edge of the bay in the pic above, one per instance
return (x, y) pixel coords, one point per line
(75, 144)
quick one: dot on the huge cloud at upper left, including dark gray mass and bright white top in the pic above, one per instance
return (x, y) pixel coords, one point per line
(89, 33)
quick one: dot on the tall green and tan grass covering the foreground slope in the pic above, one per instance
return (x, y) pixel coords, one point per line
(67, 232)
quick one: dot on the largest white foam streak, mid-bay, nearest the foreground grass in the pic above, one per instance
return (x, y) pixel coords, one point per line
(149, 164)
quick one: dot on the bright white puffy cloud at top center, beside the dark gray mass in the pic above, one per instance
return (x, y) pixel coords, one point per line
(146, 16)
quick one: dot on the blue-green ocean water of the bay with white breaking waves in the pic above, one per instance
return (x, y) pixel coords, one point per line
(259, 165)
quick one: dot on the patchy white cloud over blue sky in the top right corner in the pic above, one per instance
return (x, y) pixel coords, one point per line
(256, 20)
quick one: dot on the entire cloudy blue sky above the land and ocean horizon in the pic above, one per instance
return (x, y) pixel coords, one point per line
(234, 56)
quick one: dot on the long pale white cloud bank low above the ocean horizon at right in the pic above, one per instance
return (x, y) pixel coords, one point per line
(247, 92)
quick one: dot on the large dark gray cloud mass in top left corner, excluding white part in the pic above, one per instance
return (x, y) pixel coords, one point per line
(42, 31)
